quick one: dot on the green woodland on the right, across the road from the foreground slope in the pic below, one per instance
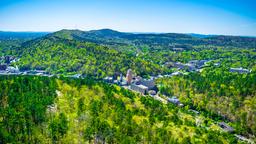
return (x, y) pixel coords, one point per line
(221, 94)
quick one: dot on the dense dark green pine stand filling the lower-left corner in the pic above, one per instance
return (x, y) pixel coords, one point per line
(23, 103)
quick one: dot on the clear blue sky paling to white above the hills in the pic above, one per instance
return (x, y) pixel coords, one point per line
(229, 17)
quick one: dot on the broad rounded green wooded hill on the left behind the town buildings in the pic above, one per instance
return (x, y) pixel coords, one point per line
(64, 55)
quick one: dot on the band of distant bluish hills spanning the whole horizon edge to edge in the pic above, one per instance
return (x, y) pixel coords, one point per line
(162, 41)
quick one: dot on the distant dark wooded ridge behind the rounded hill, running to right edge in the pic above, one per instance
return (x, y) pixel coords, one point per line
(111, 37)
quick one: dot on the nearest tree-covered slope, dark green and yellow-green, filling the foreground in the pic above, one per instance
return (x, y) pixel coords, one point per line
(50, 110)
